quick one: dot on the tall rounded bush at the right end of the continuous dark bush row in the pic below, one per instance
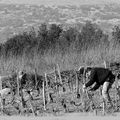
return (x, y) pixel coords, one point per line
(91, 35)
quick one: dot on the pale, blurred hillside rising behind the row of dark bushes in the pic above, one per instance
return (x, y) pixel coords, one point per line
(19, 17)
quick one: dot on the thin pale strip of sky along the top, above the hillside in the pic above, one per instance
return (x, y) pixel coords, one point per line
(59, 2)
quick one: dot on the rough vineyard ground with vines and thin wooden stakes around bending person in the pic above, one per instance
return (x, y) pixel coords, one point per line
(58, 93)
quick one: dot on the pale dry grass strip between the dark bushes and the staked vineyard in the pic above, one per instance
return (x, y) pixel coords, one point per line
(71, 60)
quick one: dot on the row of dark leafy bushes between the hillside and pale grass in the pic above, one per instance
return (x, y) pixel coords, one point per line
(55, 39)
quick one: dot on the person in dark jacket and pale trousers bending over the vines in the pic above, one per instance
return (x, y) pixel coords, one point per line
(100, 76)
